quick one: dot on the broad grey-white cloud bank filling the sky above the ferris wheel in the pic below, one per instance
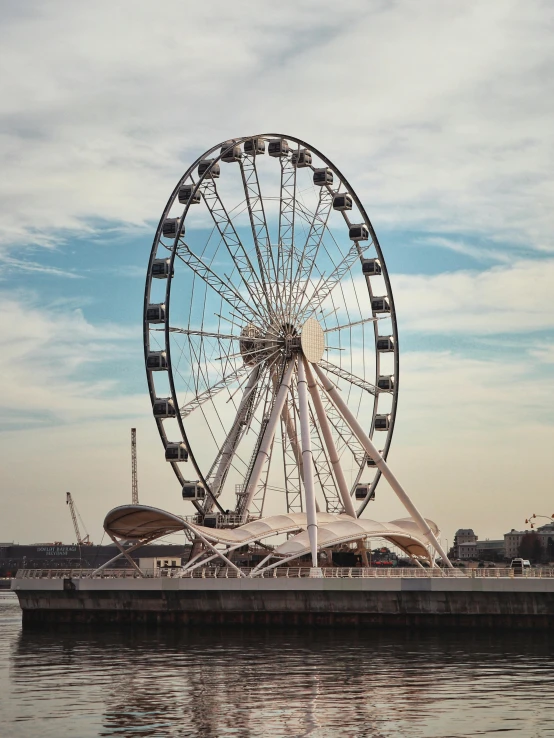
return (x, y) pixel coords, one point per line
(439, 114)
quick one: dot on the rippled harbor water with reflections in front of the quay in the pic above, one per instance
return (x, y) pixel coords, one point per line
(254, 683)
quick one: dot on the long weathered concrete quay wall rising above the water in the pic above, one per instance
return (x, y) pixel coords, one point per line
(395, 602)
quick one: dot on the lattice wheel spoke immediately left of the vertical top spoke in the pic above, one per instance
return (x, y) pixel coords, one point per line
(258, 221)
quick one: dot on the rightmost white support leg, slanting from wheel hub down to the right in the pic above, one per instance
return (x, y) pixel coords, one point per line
(334, 395)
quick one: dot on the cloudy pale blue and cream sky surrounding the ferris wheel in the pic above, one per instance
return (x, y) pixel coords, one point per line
(441, 115)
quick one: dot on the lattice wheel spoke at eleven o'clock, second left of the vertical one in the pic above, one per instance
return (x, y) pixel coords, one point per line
(249, 277)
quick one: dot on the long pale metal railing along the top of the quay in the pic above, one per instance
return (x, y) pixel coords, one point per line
(288, 572)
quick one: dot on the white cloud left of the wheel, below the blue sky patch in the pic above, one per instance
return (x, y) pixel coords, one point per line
(45, 351)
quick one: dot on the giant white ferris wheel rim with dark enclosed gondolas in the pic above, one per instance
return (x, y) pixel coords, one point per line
(269, 333)
